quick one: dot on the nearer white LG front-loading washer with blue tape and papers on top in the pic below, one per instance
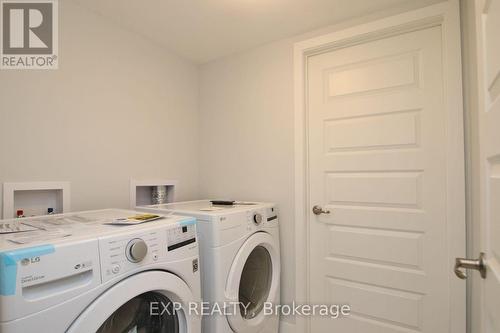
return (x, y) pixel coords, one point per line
(81, 275)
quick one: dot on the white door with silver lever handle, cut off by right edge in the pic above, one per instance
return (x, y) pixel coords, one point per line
(483, 17)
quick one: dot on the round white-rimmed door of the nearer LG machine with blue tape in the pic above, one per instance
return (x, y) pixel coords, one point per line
(126, 307)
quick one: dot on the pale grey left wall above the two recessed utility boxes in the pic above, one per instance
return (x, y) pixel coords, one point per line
(119, 107)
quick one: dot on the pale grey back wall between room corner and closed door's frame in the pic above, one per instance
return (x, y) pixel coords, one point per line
(247, 131)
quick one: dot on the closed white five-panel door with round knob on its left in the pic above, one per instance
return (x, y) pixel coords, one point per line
(377, 143)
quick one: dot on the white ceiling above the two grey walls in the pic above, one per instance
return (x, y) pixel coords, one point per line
(203, 30)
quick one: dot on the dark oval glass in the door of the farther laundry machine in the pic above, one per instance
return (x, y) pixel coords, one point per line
(255, 282)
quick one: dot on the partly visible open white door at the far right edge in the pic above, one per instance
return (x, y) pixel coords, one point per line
(488, 29)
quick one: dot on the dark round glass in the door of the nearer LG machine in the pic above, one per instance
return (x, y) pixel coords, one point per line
(135, 316)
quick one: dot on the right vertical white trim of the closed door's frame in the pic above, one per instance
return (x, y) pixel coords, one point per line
(455, 152)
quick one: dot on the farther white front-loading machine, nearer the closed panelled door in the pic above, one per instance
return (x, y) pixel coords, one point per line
(240, 261)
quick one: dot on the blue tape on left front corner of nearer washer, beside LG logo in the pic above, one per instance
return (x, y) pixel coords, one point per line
(8, 265)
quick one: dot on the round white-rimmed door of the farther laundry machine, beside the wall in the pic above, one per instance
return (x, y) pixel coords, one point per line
(253, 280)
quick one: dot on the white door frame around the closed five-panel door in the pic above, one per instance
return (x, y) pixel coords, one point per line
(446, 15)
